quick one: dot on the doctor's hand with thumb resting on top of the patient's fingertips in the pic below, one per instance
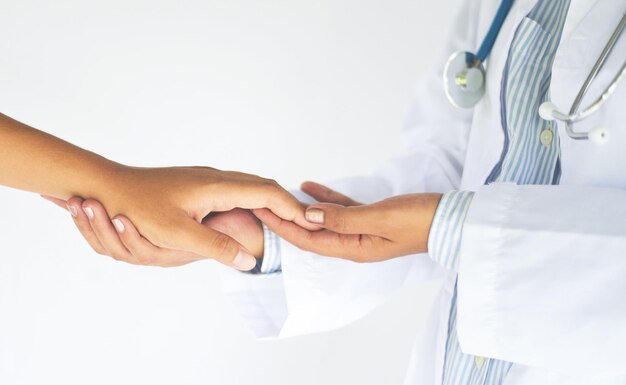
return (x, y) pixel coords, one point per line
(362, 233)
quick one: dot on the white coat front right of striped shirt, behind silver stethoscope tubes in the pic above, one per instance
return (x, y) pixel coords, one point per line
(591, 26)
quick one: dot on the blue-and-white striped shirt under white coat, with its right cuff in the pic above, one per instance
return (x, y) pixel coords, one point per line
(530, 156)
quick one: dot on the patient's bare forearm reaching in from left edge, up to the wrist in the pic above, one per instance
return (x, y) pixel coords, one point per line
(35, 161)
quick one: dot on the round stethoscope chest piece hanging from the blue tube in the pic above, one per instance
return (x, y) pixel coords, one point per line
(464, 79)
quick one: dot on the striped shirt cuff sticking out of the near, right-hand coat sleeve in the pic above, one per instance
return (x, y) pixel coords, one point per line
(444, 239)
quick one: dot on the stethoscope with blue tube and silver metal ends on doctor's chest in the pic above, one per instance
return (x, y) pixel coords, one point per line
(464, 80)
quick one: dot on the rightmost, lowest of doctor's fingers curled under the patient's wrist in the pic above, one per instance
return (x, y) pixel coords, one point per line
(144, 251)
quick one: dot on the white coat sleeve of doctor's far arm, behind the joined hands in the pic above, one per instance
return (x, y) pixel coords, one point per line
(316, 293)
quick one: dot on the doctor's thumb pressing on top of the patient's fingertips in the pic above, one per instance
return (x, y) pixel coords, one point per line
(344, 220)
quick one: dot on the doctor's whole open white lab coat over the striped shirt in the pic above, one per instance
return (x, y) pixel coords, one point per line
(542, 278)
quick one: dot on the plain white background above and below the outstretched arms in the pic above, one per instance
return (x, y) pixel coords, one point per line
(292, 90)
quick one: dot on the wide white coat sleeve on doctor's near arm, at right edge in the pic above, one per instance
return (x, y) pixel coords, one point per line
(542, 277)
